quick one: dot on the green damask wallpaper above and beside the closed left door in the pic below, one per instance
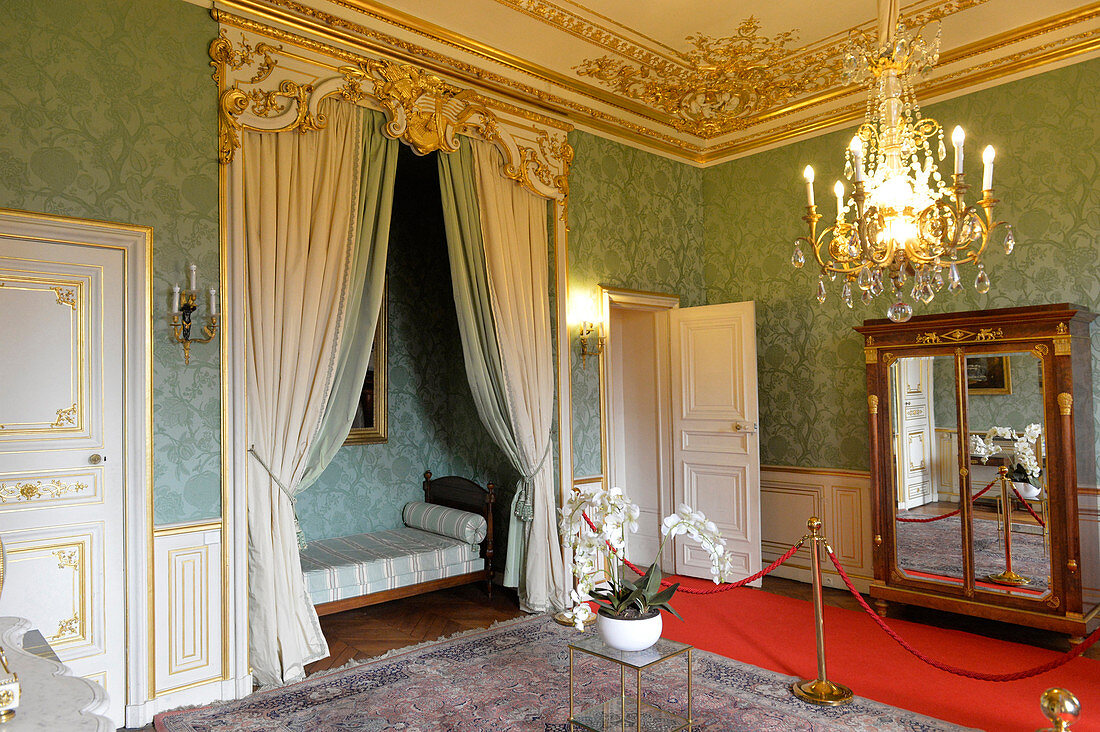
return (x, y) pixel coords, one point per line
(108, 112)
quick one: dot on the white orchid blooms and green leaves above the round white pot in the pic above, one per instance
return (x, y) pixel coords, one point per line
(598, 554)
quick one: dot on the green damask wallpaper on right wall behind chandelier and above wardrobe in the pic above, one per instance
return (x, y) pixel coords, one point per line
(811, 369)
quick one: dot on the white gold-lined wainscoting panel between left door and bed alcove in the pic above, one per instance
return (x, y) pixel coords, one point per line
(189, 608)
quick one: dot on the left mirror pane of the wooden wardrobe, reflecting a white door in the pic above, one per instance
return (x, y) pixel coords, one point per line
(929, 534)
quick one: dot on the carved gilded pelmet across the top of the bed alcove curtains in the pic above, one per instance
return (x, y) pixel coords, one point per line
(265, 89)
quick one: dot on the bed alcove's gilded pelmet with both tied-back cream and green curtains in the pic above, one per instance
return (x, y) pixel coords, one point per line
(309, 217)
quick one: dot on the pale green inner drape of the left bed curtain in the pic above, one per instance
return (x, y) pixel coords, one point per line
(366, 291)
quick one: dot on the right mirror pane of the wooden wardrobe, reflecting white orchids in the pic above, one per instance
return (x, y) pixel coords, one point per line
(1011, 543)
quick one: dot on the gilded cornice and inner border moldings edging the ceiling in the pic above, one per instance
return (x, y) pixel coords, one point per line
(529, 88)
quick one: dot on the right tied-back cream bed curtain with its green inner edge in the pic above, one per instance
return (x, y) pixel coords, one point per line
(512, 378)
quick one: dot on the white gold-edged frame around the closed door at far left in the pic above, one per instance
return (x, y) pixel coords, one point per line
(136, 244)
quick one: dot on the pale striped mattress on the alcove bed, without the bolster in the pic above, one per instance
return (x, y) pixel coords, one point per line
(351, 566)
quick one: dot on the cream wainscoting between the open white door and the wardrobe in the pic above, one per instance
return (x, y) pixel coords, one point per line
(842, 499)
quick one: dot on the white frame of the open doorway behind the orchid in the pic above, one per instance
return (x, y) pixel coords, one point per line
(634, 300)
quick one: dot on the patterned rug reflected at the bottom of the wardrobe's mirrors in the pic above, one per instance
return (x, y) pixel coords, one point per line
(937, 548)
